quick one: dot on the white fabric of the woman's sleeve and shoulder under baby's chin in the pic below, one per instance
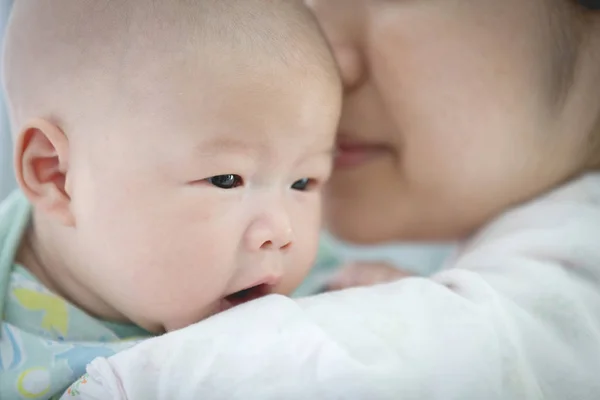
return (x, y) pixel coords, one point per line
(516, 316)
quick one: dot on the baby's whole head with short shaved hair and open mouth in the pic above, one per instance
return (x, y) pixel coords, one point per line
(173, 151)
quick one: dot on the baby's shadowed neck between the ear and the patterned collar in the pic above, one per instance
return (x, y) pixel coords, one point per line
(51, 255)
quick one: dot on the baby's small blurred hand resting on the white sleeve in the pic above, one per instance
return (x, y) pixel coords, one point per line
(364, 274)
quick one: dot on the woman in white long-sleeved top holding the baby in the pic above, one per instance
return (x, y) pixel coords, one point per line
(459, 116)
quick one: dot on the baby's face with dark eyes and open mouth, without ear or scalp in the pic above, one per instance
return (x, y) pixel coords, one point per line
(202, 191)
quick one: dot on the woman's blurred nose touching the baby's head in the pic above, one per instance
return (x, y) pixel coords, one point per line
(343, 23)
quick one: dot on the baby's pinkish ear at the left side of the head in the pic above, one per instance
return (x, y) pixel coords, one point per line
(41, 166)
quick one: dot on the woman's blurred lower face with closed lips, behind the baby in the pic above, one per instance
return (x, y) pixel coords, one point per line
(454, 111)
